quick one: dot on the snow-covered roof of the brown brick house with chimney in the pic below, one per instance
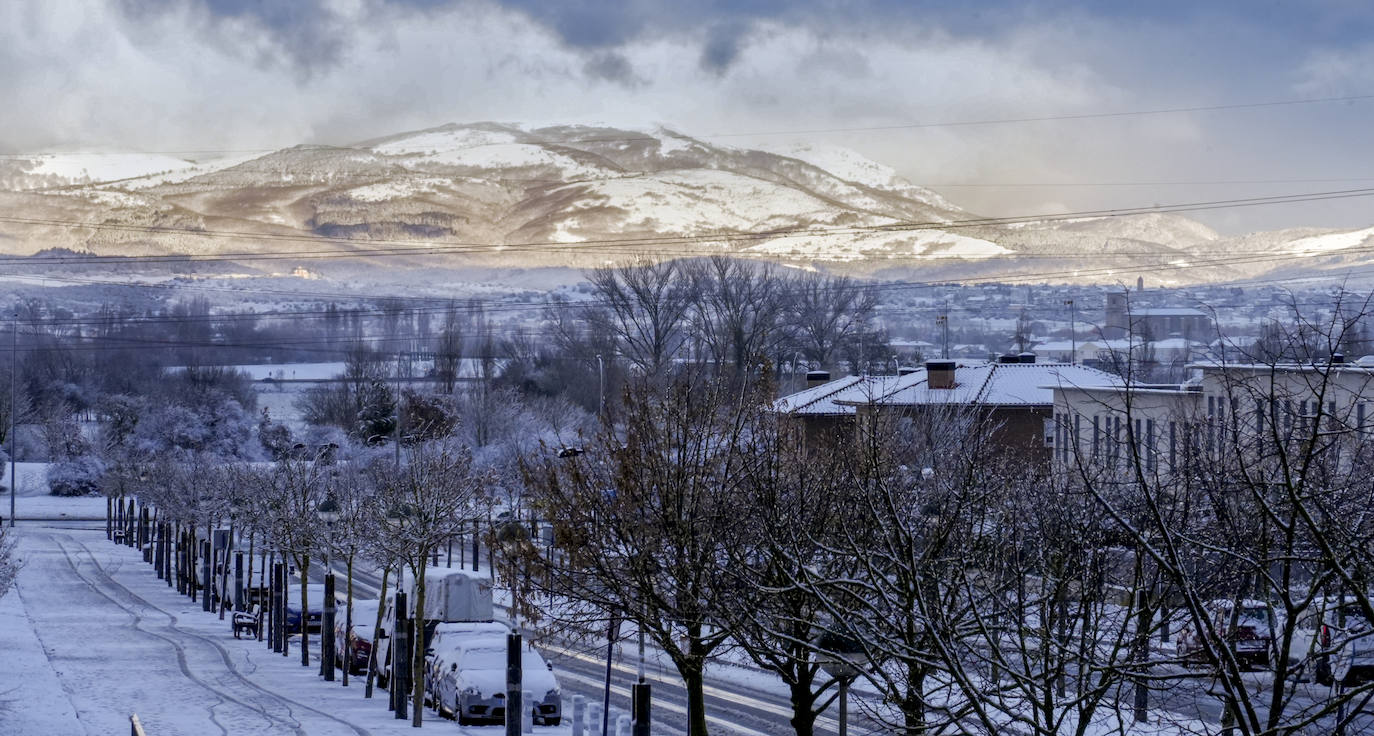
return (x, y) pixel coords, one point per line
(976, 382)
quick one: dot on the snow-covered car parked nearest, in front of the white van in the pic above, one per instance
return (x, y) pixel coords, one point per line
(472, 685)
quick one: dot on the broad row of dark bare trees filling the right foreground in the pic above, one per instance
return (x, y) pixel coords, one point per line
(989, 594)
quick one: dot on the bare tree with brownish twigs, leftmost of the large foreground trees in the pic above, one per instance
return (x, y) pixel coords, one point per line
(646, 518)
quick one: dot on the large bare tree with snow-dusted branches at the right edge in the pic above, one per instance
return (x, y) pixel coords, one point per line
(1254, 509)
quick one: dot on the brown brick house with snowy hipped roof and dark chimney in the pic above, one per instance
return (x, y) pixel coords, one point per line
(1015, 396)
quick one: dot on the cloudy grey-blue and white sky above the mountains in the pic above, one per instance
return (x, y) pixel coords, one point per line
(880, 76)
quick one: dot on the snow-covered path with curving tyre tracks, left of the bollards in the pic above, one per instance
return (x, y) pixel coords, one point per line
(94, 636)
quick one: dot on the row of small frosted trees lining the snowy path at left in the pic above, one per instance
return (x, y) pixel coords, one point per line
(392, 517)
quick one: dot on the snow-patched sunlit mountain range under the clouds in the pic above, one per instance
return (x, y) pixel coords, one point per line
(510, 197)
